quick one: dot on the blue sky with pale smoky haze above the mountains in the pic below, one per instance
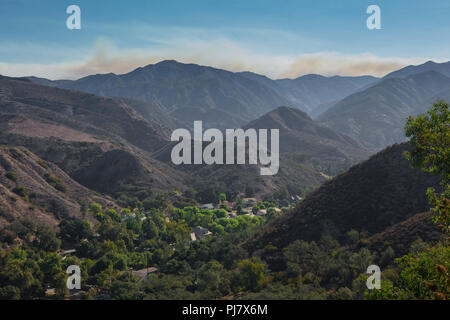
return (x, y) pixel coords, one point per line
(284, 38)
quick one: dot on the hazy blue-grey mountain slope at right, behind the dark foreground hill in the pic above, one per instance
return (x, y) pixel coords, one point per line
(375, 117)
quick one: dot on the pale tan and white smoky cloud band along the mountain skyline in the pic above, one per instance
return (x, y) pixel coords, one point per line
(212, 49)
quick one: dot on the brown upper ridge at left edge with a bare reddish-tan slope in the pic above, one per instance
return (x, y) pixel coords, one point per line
(34, 109)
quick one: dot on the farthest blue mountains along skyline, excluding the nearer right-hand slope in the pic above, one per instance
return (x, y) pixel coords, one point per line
(222, 99)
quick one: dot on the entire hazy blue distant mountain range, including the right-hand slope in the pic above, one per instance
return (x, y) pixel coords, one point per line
(372, 111)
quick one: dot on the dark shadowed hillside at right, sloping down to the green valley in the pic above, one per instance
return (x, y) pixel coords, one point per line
(372, 196)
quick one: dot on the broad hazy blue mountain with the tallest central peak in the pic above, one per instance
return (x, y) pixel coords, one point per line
(175, 86)
